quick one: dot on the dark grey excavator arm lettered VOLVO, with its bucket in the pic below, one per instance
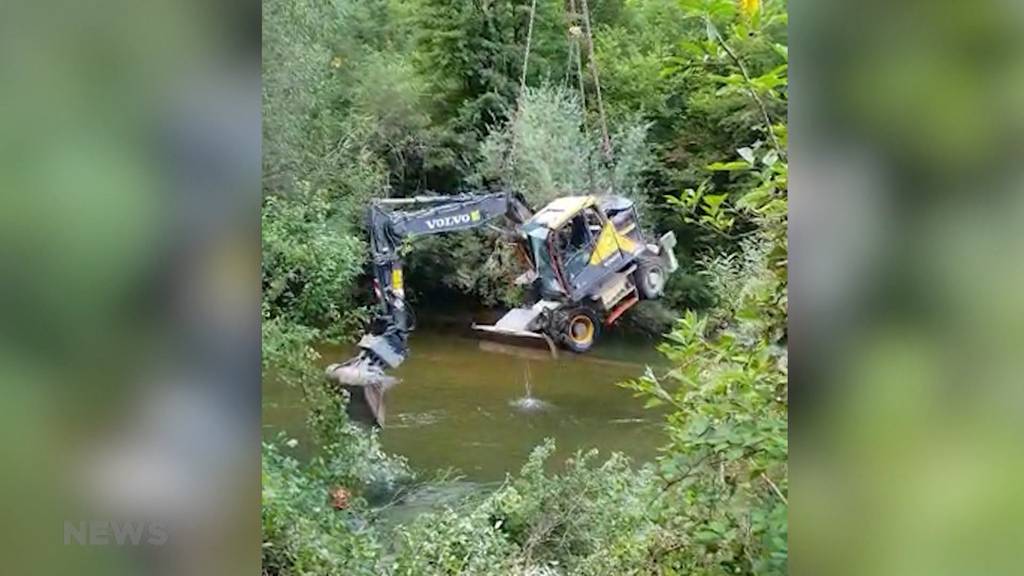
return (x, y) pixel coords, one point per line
(391, 223)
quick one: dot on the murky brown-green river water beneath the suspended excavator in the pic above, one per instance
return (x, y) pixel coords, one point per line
(465, 406)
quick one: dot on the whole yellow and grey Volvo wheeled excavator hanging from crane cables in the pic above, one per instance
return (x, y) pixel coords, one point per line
(586, 260)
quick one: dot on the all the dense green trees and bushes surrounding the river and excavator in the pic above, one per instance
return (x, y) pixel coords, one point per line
(393, 98)
